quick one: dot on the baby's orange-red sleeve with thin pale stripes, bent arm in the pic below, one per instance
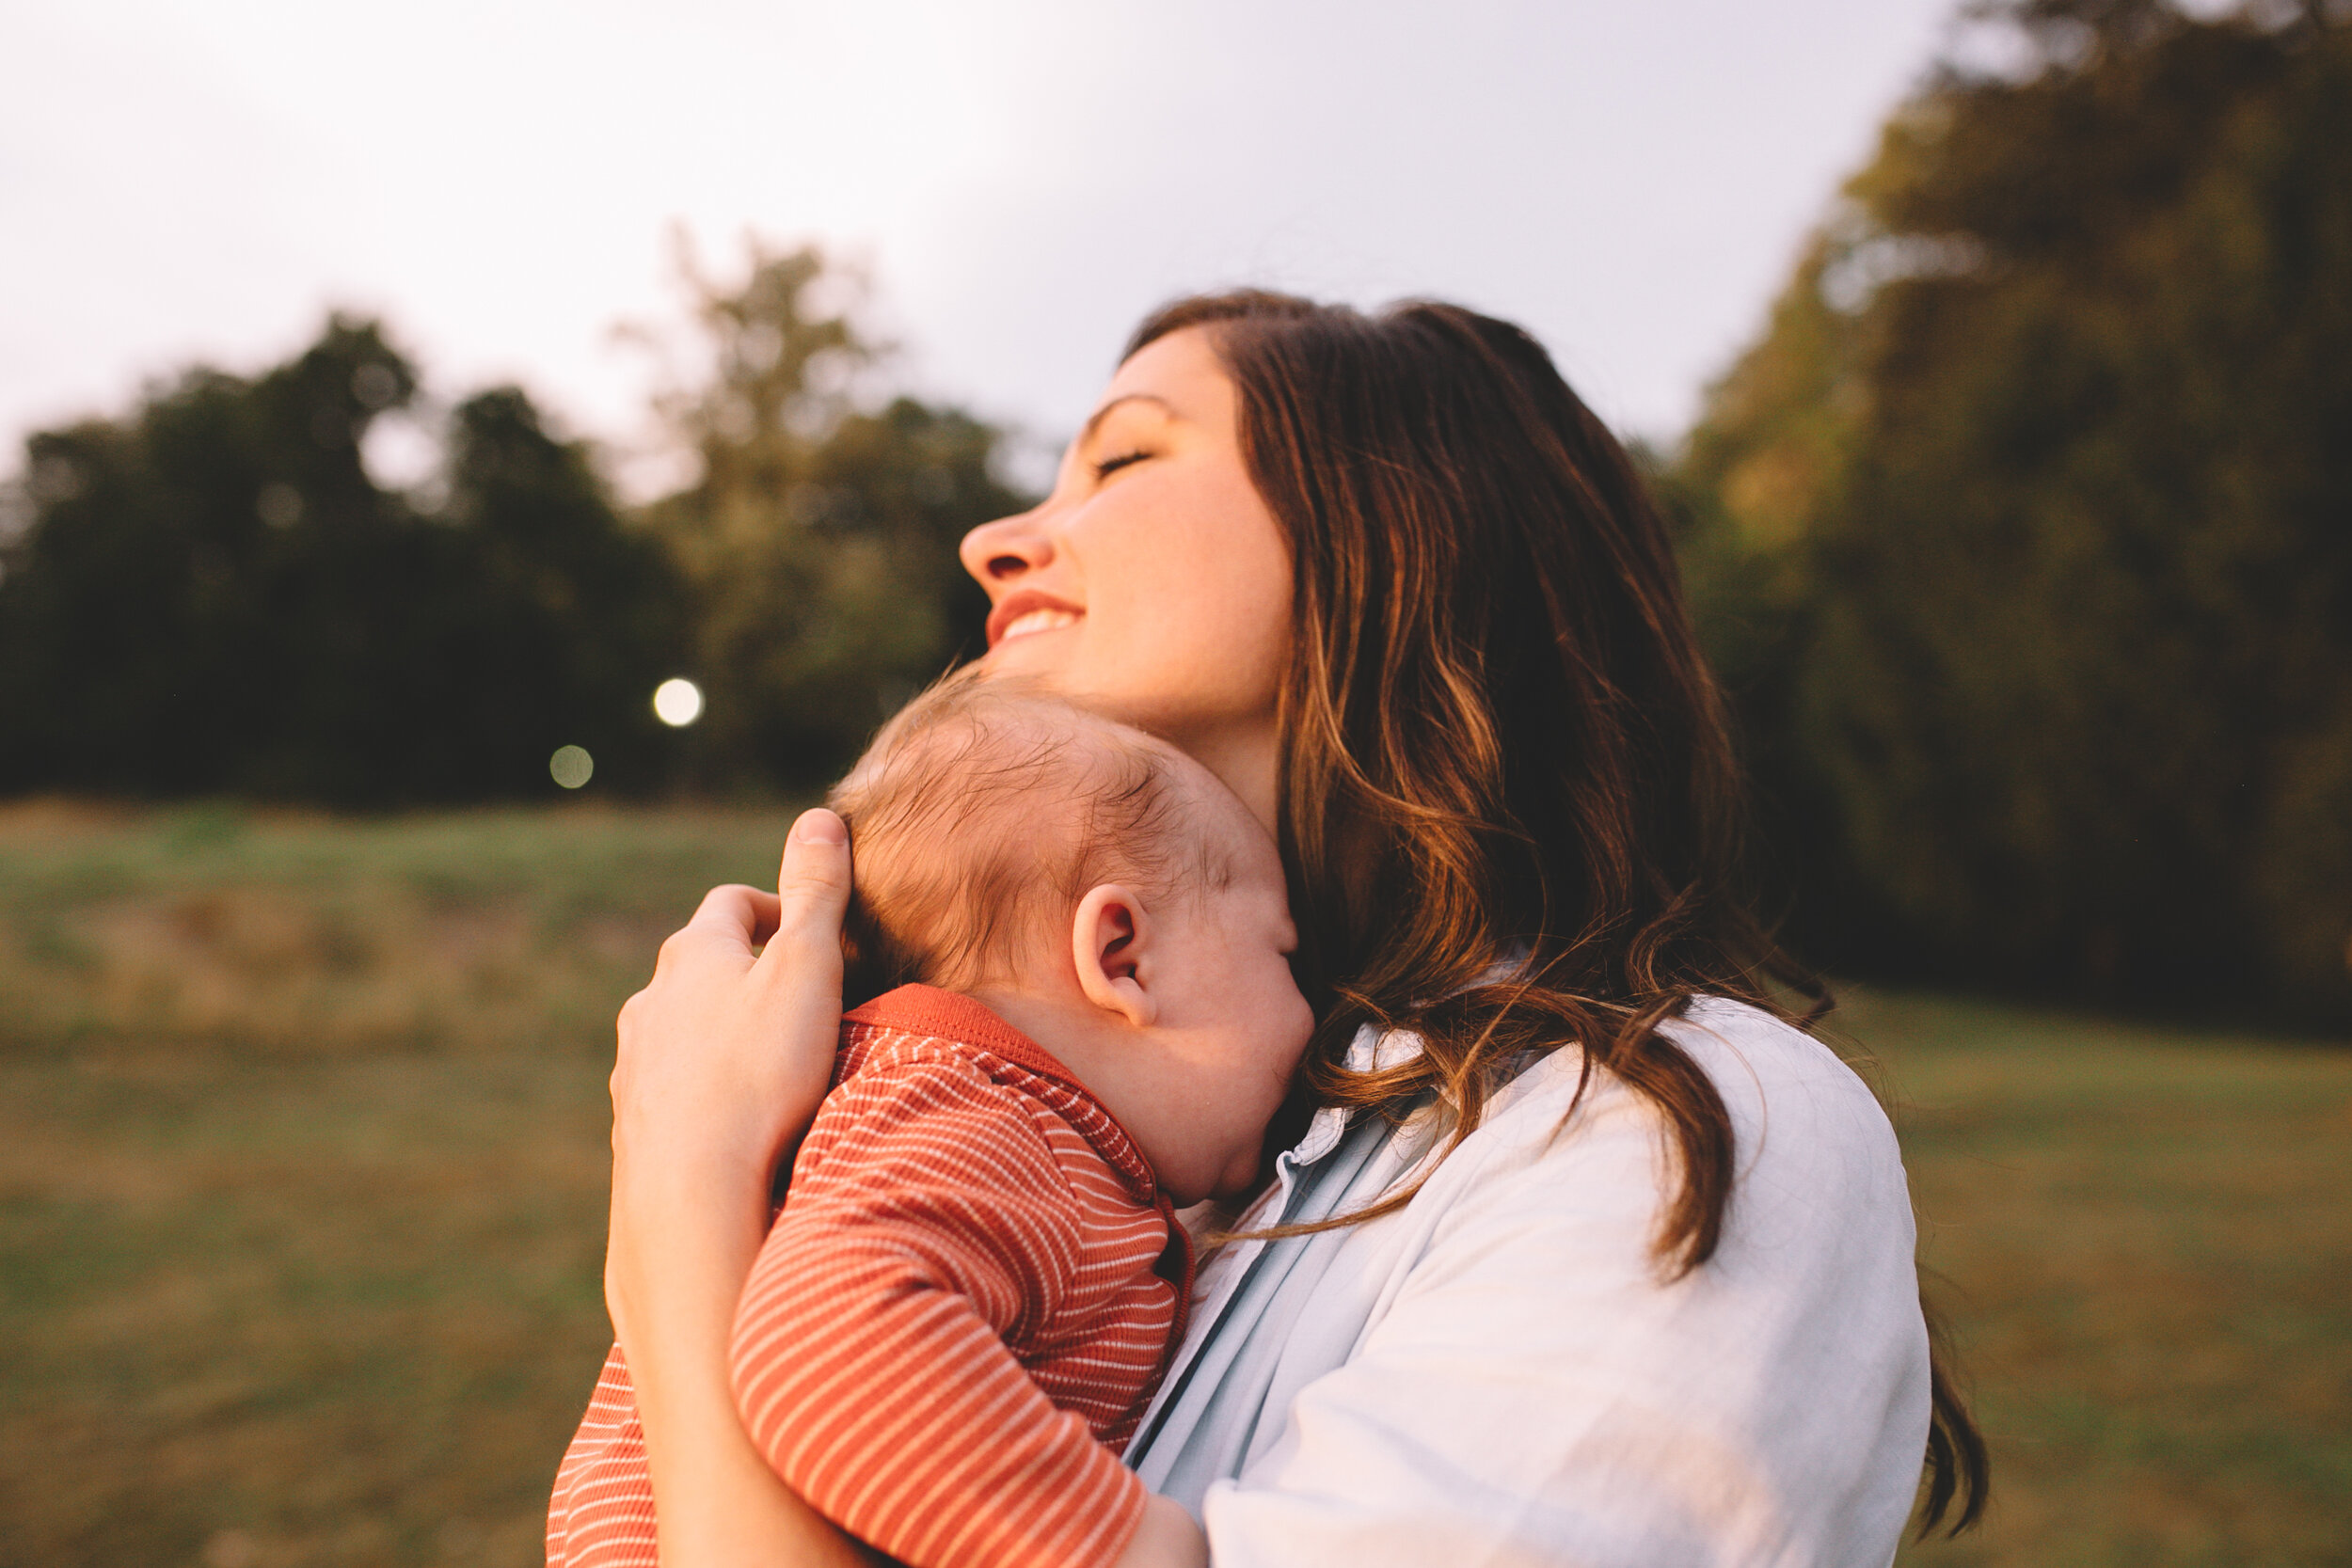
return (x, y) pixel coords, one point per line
(928, 1224)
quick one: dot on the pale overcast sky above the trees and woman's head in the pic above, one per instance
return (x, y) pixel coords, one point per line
(1024, 177)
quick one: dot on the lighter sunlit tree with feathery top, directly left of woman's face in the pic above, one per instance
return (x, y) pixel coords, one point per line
(820, 535)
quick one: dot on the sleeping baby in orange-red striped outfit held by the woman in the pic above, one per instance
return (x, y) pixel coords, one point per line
(975, 1280)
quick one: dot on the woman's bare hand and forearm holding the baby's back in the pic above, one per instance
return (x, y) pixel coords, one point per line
(723, 1061)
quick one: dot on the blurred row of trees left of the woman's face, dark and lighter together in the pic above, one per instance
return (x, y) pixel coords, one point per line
(215, 596)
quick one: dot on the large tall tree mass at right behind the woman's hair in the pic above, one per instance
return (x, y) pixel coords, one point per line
(2024, 537)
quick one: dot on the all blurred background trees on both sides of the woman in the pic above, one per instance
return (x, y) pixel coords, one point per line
(2024, 540)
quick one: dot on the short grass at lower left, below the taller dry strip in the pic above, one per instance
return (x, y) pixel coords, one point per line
(293, 1311)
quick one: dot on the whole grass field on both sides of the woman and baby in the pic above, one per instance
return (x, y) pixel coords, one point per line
(302, 1177)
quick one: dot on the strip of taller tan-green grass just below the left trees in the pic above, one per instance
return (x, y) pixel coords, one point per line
(300, 934)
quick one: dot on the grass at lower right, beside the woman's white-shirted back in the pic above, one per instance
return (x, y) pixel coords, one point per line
(2149, 1242)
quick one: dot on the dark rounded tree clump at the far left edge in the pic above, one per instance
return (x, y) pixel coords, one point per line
(213, 596)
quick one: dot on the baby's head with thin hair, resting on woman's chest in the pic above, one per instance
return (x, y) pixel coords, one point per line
(1104, 894)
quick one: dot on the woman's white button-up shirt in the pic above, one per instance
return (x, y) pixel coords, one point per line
(1499, 1374)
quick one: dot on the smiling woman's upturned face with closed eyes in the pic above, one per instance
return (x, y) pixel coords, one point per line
(1154, 584)
